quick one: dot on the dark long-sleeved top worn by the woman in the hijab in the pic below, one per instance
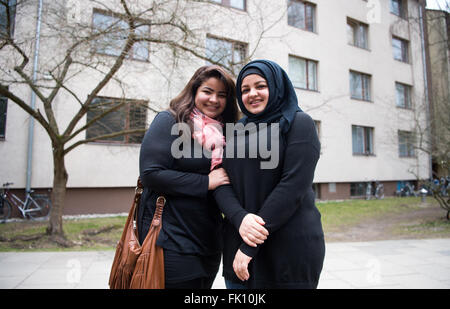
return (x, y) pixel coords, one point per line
(292, 256)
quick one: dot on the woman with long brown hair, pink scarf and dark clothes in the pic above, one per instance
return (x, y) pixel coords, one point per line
(191, 234)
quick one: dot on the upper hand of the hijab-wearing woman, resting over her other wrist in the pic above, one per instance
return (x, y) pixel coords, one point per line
(252, 231)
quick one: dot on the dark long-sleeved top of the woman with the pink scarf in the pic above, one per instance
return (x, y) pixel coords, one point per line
(192, 223)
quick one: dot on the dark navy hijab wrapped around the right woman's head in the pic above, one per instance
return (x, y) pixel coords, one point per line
(282, 104)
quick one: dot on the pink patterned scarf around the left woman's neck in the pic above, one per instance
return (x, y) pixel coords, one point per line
(208, 132)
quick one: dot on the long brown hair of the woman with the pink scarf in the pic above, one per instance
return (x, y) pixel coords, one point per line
(183, 104)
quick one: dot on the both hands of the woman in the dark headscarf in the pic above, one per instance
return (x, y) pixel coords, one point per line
(253, 233)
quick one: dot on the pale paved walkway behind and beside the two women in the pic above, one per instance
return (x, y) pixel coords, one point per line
(388, 264)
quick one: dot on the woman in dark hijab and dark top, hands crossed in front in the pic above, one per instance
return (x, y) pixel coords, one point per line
(273, 233)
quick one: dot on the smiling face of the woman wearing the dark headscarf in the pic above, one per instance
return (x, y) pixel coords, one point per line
(255, 93)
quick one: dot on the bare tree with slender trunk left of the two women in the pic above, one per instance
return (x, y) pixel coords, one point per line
(98, 47)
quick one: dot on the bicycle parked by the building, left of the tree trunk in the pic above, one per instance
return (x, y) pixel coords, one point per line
(34, 205)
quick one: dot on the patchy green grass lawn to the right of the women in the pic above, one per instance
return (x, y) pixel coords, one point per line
(390, 218)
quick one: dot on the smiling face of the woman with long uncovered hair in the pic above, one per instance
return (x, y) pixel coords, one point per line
(211, 97)
